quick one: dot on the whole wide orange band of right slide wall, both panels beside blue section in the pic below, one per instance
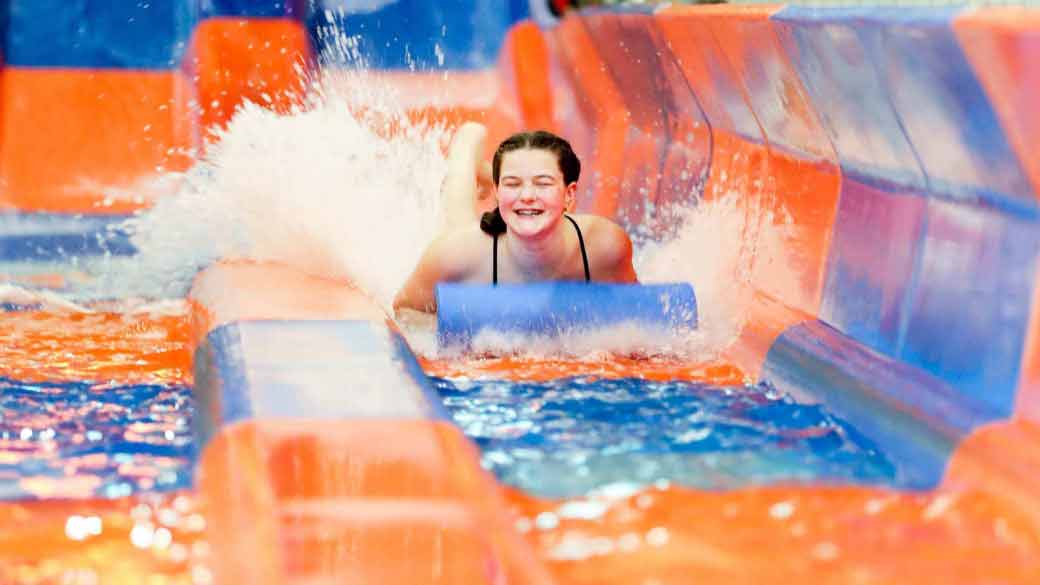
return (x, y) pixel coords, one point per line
(789, 199)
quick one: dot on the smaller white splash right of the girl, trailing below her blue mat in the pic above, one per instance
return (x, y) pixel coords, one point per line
(710, 251)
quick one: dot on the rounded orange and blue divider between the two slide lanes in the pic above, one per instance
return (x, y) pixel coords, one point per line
(326, 453)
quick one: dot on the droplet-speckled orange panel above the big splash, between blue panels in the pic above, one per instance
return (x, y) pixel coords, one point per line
(264, 61)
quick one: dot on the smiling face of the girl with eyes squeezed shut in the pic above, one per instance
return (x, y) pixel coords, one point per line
(532, 194)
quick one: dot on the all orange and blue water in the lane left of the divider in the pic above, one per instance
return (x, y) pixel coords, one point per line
(96, 449)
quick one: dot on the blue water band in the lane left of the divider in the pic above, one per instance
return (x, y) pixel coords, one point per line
(79, 440)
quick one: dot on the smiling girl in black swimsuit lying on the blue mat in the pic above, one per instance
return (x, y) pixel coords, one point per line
(530, 236)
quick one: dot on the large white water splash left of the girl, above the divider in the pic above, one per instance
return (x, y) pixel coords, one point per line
(346, 189)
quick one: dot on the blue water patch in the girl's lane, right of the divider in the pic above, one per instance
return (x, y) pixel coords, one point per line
(574, 437)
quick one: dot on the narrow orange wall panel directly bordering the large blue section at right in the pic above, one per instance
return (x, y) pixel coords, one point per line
(800, 194)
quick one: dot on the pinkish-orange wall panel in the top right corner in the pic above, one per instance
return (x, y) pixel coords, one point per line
(1003, 45)
